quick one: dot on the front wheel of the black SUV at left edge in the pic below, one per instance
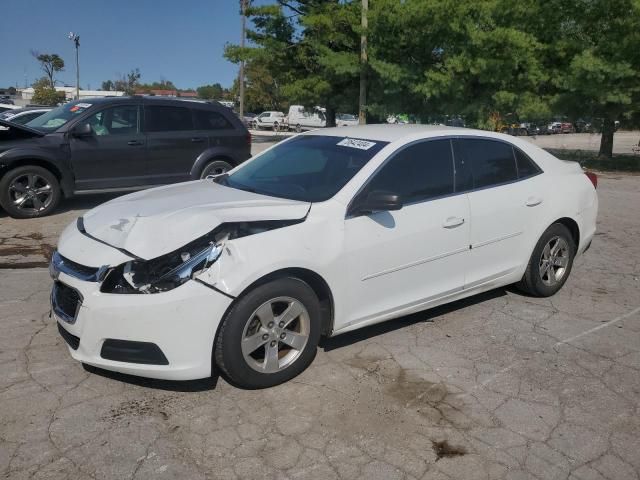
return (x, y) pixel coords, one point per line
(39, 204)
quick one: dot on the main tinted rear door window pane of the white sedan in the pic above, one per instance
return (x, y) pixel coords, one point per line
(492, 162)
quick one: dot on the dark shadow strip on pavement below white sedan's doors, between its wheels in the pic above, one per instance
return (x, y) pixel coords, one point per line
(366, 333)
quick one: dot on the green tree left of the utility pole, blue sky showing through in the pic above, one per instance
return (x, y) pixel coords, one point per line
(310, 48)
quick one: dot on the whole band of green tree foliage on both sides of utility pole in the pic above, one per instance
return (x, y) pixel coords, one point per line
(491, 62)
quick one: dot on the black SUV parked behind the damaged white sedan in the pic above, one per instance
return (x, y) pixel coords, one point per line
(114, 144)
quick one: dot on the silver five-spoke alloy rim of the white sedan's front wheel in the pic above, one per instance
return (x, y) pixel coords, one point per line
(275, 335)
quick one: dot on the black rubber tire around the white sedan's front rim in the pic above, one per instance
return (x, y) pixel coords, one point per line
(228, 351)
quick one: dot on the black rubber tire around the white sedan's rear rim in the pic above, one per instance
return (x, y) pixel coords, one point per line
(533, 281)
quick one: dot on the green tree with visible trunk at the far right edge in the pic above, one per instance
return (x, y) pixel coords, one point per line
(598, 62)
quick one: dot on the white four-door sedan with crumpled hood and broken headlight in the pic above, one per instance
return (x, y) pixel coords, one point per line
(323, 233)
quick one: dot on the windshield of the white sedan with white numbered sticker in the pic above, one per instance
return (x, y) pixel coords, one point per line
(309, 168)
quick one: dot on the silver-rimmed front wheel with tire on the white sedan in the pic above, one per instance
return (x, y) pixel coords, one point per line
(270, 334)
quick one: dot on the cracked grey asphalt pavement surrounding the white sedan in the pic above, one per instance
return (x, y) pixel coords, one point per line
(498, 386)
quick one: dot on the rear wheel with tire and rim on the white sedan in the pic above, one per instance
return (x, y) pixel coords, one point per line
(550, 263)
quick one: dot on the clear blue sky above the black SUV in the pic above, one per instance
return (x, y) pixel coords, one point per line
(179, 41)
